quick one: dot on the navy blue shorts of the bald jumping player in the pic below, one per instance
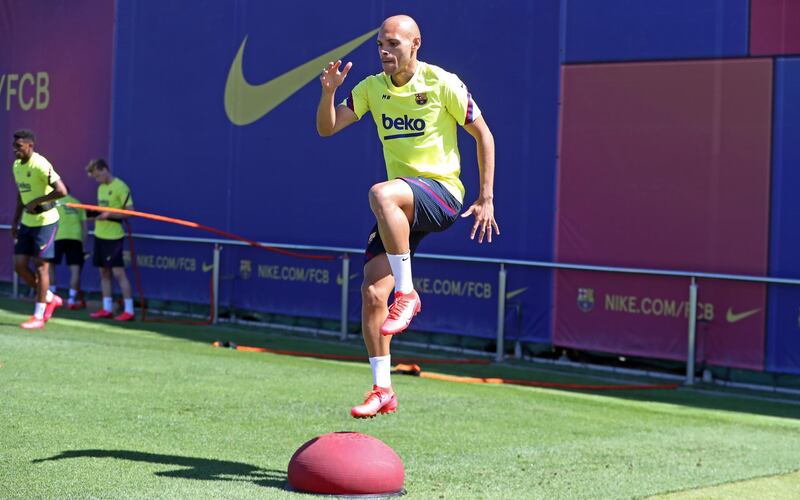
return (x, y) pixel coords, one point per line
(435, 209)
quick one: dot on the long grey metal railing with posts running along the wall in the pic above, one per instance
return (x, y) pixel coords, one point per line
(345, 253)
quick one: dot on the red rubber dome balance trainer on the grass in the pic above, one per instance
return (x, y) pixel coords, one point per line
(346, 463)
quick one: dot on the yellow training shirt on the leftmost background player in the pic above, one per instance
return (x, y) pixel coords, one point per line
(34, 179)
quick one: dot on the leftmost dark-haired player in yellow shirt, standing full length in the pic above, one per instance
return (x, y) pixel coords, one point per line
(35, 224)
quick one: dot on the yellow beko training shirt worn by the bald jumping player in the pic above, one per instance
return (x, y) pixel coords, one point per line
(417, 122)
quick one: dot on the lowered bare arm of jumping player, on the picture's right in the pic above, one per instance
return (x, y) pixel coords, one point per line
(483, 207)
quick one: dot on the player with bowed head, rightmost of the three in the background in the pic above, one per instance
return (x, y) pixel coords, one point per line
(109, 237)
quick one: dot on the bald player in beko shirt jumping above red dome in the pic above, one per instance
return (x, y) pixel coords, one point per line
(416, 107)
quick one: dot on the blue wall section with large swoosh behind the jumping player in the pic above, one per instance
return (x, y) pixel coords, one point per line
(275, 180)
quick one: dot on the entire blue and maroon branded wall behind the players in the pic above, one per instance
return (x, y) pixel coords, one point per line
(273, 179)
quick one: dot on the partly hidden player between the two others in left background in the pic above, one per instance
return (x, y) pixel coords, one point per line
(70, 244)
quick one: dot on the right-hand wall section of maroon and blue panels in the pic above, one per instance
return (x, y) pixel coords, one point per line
(669, 36)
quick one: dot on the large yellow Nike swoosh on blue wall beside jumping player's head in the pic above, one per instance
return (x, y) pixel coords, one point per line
(245, 103)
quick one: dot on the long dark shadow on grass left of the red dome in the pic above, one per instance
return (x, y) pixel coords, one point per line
(190, 467)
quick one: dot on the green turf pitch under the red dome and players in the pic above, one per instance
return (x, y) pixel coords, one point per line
(147, 410)
